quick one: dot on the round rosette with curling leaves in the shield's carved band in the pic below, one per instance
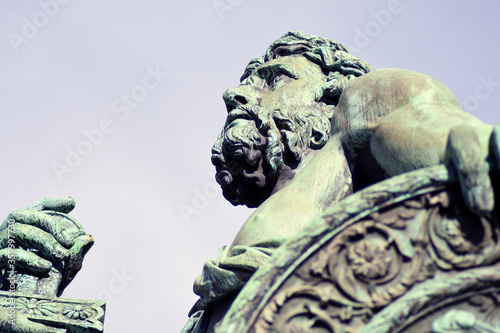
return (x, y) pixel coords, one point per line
(373, 263)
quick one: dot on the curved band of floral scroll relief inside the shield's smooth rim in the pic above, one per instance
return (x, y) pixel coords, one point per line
(368, 263)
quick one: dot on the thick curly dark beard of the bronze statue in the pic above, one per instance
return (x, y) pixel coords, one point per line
(255, 143)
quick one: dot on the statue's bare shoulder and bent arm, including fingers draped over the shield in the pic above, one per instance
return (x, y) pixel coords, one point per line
(399, 121)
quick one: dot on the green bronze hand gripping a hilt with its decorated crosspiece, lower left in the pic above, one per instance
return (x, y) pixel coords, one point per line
(42, 249)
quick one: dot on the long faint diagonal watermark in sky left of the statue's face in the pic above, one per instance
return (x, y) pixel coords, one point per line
(121, 107)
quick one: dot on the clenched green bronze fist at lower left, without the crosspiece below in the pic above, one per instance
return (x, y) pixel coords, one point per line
(43, 241)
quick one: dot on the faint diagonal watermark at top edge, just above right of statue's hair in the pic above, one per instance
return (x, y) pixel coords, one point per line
(381, 19)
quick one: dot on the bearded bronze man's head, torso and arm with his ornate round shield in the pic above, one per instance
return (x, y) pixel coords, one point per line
(309, 130)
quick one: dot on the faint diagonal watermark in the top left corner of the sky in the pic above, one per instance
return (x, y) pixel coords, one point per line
(31, 26)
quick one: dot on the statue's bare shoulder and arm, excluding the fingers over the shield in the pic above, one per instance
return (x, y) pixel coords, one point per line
(402, 119)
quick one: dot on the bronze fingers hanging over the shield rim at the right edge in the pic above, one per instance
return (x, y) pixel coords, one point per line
(466, 154)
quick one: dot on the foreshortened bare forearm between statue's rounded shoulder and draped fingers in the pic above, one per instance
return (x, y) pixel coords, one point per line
(416, 137)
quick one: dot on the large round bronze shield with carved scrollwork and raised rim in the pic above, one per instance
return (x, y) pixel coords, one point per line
(405, 255)
